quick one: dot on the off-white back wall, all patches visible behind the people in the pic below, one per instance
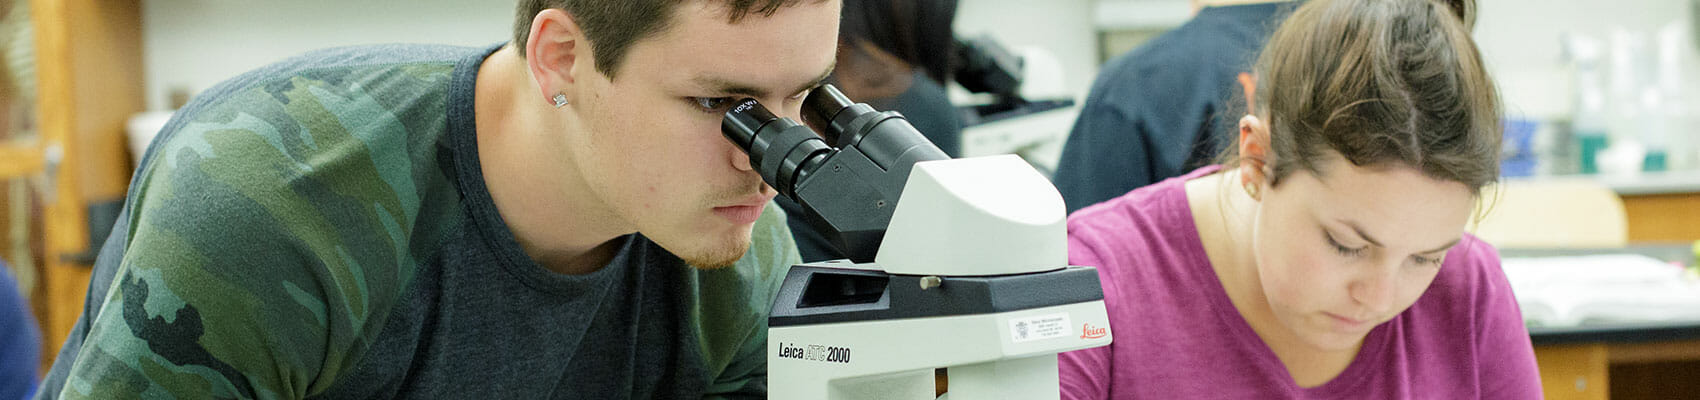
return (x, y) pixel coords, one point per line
(198, 43)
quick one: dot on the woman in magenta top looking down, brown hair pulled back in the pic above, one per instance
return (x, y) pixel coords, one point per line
(1329, 256)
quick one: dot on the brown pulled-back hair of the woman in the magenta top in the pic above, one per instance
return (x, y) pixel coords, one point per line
(1380, 83)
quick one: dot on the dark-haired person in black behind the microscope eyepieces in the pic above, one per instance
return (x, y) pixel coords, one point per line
(893, 55)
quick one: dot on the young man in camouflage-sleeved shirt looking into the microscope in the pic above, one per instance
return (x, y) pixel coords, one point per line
(426, 222)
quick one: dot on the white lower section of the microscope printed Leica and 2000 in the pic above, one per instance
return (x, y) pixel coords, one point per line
(987, 357)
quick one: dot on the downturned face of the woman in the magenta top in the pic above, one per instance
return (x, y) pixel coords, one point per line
(1344, 251)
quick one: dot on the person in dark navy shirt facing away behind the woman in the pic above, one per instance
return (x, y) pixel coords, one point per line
(1165, 108)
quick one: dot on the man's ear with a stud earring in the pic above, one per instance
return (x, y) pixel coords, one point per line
(555, 52)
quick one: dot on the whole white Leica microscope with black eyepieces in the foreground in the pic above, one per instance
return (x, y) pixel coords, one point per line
(956, 265)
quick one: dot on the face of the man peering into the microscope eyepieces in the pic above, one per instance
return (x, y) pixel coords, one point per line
(649, 144)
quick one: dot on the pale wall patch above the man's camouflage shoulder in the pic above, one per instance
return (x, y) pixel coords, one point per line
(198, 43)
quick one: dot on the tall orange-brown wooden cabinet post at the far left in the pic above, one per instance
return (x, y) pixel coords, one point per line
(89, 84)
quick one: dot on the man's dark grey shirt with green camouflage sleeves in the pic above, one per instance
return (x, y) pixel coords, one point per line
(320, 229)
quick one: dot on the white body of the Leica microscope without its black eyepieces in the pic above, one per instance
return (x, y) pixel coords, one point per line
(973, 277)
